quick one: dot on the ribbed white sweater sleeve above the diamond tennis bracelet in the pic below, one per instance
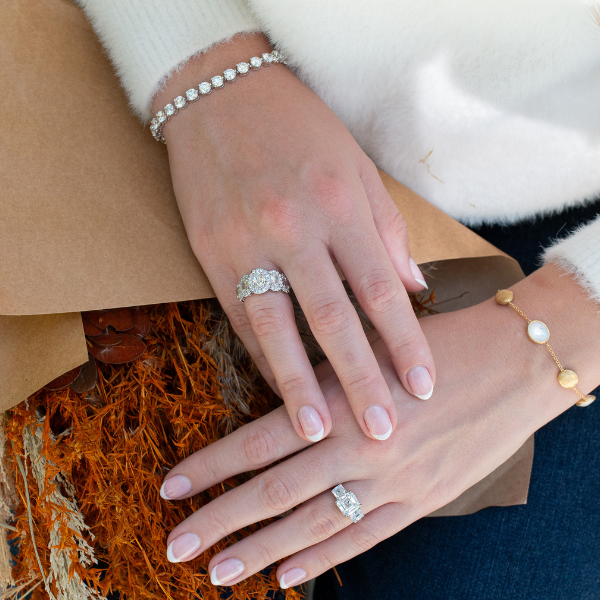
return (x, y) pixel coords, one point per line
(148, 39)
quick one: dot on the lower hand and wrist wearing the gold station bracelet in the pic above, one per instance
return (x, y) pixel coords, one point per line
(494, 389)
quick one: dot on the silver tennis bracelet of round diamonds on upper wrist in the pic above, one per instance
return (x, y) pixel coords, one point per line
(206, 87)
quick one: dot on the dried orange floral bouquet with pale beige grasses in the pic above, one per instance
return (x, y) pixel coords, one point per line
(82, 461)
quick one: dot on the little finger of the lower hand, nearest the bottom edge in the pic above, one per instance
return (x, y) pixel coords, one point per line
(377, 526)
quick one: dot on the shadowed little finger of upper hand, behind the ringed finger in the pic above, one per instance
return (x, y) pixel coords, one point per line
(224, 282)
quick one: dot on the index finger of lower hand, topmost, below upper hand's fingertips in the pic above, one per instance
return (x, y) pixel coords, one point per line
(253, 446)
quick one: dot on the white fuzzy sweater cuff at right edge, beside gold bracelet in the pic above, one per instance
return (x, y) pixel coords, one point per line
(579, 255)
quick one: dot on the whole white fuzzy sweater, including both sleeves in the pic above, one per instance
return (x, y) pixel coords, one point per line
(490, 110)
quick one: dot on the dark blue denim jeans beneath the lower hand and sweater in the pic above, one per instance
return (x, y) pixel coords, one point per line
(548, 549)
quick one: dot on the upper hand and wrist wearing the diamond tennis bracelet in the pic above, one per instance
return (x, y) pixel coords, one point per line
(267, 176)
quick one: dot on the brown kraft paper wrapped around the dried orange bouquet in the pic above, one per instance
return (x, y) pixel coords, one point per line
(88, 219)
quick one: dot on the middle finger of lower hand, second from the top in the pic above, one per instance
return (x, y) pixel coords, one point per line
(267, 495)
